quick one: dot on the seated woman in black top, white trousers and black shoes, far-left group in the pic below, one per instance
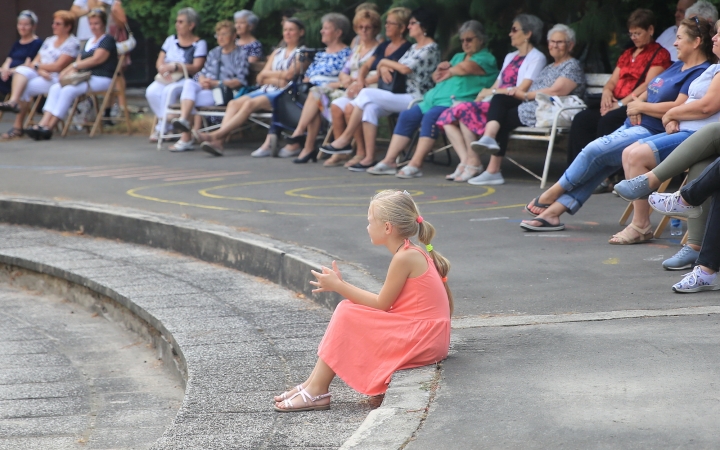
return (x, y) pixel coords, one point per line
(99, 56)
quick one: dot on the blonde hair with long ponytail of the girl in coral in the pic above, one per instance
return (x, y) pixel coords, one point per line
(398, 208)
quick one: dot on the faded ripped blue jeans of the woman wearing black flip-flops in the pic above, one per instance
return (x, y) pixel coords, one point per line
(597, 161)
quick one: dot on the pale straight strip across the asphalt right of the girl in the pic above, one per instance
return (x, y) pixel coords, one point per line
(513, 321)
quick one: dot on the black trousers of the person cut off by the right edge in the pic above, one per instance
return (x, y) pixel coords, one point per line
(695, 193)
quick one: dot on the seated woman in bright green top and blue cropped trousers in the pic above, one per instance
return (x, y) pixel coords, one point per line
(458, 80)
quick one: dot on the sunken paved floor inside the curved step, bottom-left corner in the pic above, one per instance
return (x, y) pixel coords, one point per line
(69, 379)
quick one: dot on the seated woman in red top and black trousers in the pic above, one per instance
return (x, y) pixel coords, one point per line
(635, 68)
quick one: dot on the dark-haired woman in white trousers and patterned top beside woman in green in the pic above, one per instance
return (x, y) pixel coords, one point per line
(417, 65)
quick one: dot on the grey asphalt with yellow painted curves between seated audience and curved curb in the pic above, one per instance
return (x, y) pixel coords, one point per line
(520, 383)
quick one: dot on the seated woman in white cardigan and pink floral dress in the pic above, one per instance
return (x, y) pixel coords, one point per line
(464, 122)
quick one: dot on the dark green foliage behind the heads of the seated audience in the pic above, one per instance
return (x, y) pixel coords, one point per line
(599, 24)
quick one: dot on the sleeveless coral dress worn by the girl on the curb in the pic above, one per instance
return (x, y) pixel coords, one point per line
(364, 345)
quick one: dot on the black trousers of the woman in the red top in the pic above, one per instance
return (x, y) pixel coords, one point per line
(589, 125)
